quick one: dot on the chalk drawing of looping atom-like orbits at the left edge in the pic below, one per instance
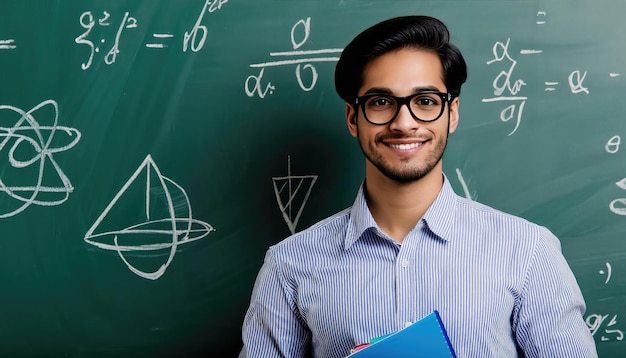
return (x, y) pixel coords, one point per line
(29, 140)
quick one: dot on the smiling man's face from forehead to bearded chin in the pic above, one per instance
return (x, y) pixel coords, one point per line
(404, 150)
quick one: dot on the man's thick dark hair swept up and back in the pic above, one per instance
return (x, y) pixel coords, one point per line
(420, 32)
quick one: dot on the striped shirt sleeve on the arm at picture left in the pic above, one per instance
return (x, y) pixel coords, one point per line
(272, 326)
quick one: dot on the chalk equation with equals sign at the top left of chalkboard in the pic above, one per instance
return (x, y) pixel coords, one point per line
(193, 39)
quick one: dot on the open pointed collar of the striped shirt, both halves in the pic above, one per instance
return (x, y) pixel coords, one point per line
(439, 217)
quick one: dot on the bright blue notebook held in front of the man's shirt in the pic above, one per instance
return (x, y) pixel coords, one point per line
(425, 338)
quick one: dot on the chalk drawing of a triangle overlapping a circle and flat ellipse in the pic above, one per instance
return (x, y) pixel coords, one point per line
(166, 220)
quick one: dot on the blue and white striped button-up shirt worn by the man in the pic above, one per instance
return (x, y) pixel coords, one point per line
(500, 284)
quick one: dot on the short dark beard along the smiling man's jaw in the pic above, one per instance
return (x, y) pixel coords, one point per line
(404, 173)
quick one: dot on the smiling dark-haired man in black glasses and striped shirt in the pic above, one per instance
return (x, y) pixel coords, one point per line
(409, 245)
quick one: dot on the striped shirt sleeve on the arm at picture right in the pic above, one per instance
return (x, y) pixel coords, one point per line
(549, 322)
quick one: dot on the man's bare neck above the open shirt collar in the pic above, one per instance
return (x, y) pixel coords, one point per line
(398, 207)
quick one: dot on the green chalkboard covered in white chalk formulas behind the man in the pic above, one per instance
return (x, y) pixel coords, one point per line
(151, 151)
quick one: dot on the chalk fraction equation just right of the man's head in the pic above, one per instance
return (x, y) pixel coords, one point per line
(507, 87)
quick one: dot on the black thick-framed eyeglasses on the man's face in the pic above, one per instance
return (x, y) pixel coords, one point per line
(425, 106)
